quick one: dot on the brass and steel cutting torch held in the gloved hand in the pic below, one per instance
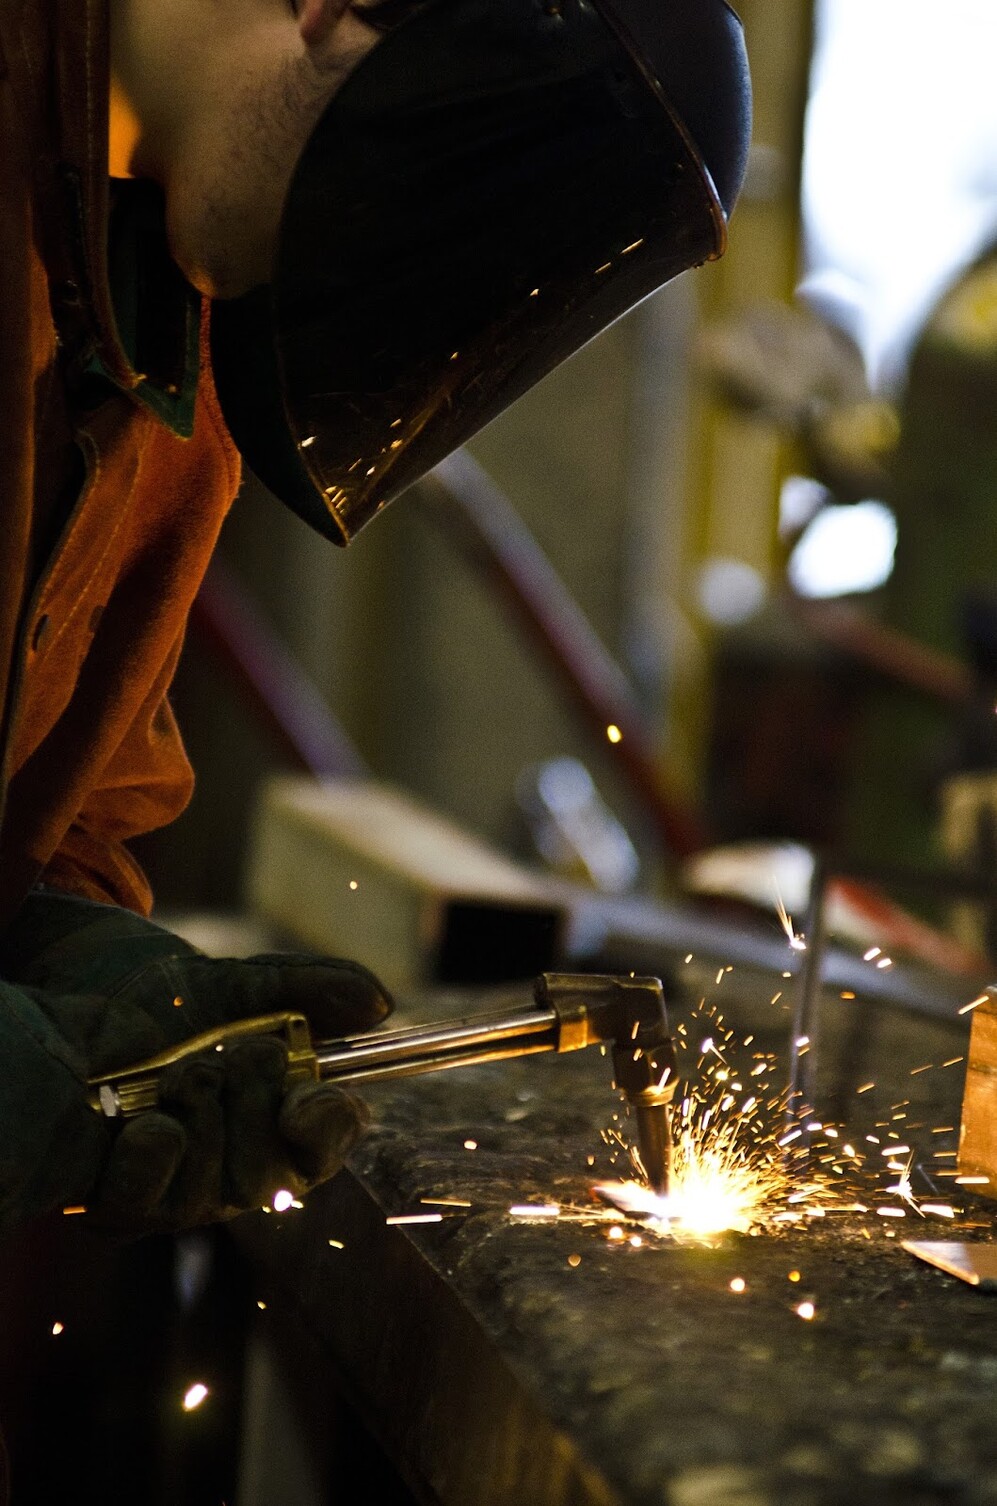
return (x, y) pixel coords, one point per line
(570, 1011)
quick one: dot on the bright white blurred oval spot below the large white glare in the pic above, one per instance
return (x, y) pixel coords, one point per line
(844, 550)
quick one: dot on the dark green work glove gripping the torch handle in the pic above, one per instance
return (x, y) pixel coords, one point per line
(91, 989)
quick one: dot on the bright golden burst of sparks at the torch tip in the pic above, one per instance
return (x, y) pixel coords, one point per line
(745, 1165)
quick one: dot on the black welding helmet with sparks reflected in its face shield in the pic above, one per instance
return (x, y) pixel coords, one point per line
(496, 183)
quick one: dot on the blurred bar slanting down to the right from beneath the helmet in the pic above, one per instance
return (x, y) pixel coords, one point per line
(493, 537)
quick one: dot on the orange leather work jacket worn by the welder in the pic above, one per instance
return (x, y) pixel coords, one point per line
(108, 517)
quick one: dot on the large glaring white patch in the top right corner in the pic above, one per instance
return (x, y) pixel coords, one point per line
(897, 198)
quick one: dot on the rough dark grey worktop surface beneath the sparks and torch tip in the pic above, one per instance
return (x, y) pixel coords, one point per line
(680, 1392)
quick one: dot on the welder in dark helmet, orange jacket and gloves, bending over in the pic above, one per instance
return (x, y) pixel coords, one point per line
(340, 240)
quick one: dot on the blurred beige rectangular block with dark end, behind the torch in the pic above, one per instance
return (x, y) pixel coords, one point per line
(353, 868)
